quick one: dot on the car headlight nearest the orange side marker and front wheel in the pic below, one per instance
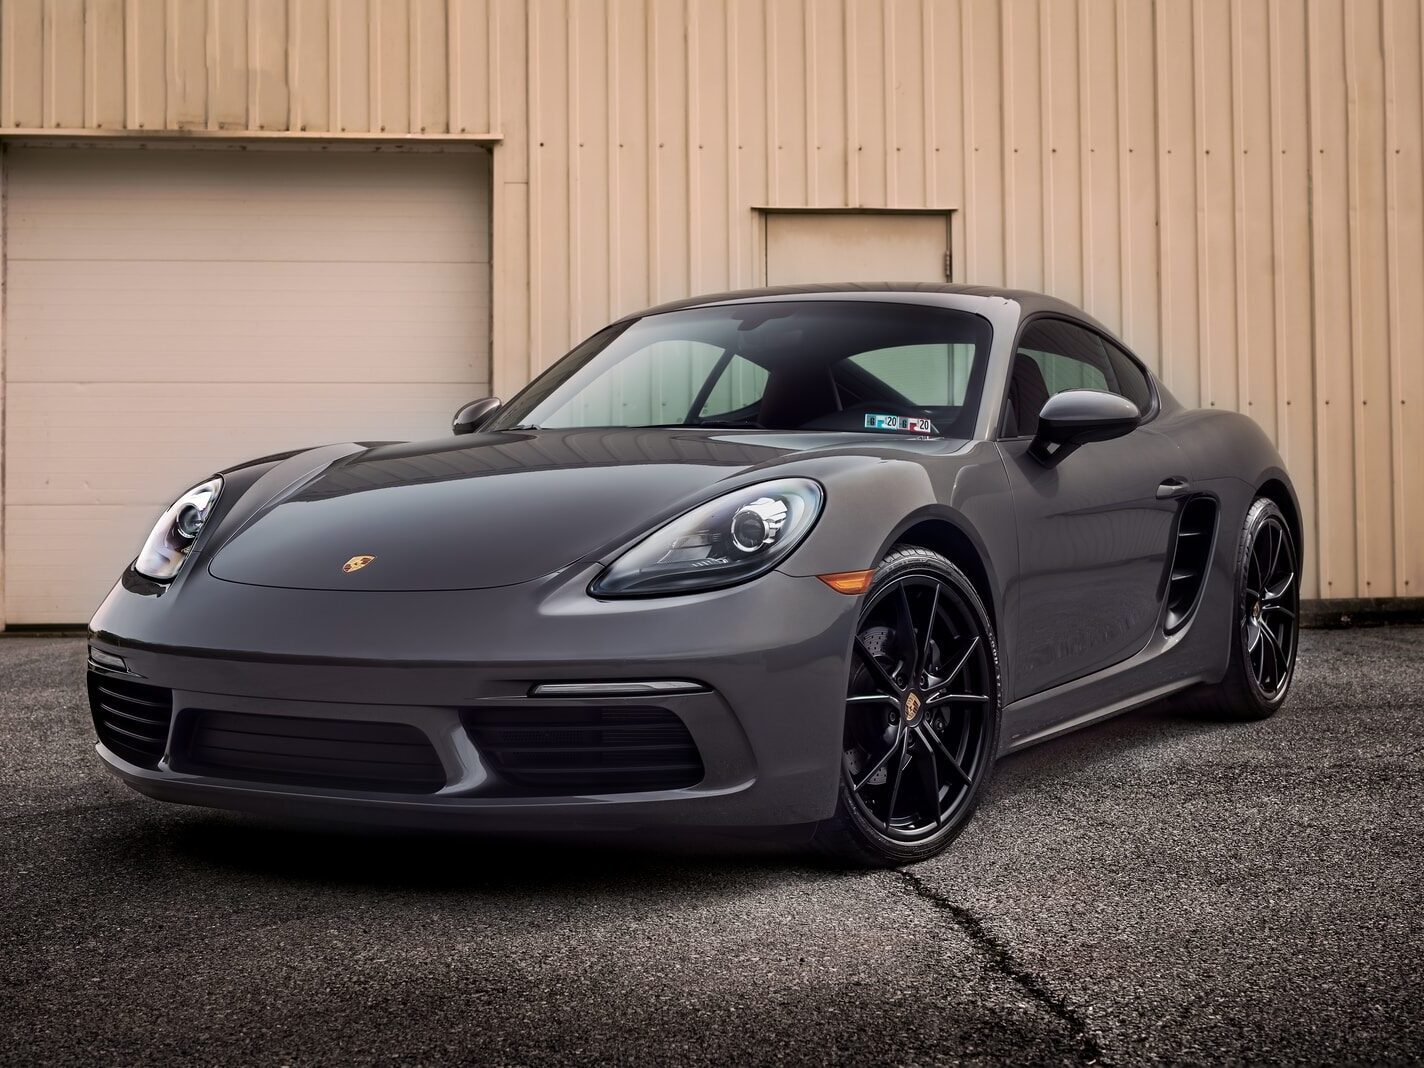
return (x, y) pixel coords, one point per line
(728, 540)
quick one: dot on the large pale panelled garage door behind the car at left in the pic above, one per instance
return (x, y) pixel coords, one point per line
(170, 313)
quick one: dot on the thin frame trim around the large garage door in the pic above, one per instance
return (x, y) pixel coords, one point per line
(213, 140)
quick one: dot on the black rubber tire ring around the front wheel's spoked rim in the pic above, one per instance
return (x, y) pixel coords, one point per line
(901, 565)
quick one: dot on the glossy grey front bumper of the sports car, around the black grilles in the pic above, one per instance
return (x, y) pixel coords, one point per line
(770, 656)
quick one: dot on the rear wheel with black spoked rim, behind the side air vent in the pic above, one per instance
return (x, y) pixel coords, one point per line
(1265, 623)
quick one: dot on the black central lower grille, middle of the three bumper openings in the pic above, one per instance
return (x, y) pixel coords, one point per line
(347, 754)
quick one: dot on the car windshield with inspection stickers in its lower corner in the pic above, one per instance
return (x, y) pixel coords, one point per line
(797, 365)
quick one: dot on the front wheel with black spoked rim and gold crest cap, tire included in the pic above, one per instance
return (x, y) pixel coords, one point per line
(936, 700)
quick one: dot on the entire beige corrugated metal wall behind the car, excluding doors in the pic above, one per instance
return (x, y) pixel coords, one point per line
(1235, 186)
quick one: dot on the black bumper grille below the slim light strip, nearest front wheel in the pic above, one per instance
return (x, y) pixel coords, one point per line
(557, 751)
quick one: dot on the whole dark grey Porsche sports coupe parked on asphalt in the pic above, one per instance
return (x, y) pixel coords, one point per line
(792, 557)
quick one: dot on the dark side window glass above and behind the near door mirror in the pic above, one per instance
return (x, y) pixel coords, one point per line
(1054, 357)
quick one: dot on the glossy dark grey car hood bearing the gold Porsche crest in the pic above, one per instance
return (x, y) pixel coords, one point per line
(486, 511)
